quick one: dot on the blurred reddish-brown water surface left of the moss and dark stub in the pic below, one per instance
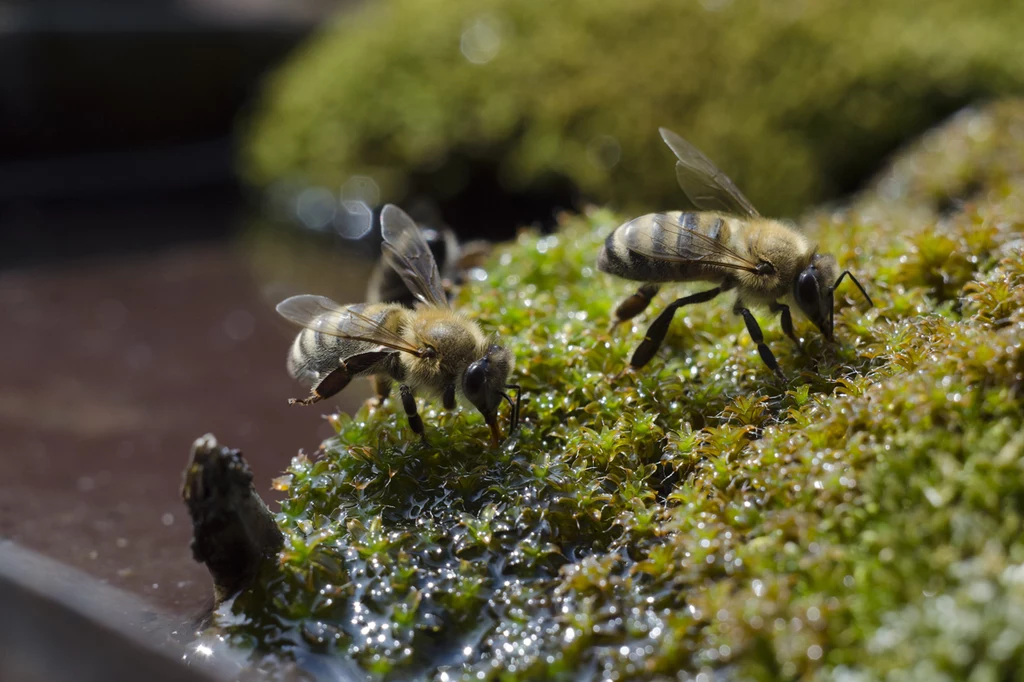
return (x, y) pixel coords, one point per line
(111, 369)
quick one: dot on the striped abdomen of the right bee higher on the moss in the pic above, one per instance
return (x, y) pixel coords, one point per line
(685, 239)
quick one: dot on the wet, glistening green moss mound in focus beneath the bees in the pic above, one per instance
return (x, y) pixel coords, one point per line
(865, 521)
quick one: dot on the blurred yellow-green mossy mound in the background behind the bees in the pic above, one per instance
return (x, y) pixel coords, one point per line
(796, 101)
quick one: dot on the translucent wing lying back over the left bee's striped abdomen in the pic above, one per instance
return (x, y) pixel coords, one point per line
(322, 315)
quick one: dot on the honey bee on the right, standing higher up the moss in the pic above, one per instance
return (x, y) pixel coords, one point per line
(729, 244)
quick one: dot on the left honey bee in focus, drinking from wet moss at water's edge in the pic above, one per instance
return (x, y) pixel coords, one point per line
(431, 348)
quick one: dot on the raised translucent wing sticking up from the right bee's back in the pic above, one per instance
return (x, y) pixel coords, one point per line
(705, 185)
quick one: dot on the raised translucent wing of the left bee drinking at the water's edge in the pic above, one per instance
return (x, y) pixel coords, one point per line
(408, 253)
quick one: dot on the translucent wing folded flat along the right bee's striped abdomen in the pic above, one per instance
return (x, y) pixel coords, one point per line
(665, 238)
